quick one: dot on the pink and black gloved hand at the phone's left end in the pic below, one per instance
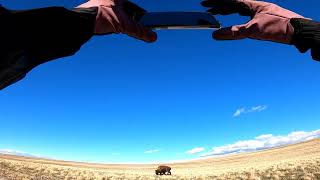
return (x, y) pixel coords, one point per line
(113, 17)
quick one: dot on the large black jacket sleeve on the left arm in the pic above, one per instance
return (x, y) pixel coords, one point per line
(32, 37)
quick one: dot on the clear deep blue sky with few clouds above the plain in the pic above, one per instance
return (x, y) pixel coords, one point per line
(186, 96)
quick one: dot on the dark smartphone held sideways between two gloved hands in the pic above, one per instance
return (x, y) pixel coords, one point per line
(179, 20)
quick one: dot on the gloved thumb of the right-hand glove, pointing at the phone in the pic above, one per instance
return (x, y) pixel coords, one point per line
(231, 33)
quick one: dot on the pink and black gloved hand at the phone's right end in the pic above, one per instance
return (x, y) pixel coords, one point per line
(268, 21)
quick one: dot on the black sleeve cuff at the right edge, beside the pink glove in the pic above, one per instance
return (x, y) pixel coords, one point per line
(307, 36)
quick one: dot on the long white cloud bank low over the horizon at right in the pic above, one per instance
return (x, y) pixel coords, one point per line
(263, 142)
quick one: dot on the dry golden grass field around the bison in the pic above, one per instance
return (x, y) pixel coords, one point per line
(299, 161)
